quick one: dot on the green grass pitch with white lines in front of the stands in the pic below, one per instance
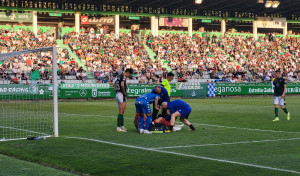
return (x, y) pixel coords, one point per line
(234, 136)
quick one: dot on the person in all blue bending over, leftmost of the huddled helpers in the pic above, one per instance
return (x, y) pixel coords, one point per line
(142, 105)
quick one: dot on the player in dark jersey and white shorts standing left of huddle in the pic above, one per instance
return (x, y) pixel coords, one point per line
(121, 98)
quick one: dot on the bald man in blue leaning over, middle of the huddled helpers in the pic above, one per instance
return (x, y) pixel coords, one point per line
(164, 97)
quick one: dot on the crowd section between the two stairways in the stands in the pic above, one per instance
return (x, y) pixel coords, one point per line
(104, 56)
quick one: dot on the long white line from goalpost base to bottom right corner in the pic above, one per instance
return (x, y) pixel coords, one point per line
(186, 155)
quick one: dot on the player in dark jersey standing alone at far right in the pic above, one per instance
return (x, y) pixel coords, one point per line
(279, 94)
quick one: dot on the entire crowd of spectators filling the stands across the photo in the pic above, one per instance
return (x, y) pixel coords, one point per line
(229, 58)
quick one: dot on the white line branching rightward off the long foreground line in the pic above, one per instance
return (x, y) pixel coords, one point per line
(226, 143)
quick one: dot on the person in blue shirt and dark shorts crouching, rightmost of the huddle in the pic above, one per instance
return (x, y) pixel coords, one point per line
(178, 108)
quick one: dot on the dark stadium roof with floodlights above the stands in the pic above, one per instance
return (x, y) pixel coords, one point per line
(286, 7)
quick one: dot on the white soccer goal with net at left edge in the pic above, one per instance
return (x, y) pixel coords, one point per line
(28, 94)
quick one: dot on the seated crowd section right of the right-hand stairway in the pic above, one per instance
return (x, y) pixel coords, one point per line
(228, 59)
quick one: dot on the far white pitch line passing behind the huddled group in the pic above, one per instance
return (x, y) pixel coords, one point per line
(203, 124)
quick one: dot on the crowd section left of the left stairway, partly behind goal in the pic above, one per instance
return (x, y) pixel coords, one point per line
(34, 66)
